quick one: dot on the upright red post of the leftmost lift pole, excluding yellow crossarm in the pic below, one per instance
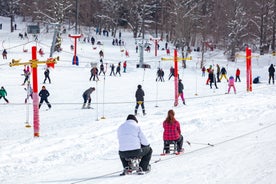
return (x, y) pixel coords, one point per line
(35, 93)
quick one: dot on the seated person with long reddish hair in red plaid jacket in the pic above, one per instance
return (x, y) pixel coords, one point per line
(172, 132)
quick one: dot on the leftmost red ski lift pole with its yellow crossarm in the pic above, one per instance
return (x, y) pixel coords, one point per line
(34, 64)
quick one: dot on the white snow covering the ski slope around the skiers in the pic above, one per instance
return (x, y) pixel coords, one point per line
(79, 146)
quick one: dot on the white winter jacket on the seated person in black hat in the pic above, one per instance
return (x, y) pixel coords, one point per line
(130, 136)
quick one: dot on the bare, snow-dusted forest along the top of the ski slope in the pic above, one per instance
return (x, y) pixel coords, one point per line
(226, 24)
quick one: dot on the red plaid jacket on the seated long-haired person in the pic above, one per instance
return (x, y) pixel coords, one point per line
(171, 130)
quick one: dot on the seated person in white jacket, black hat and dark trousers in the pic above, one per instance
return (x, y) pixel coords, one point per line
(133, 143)
